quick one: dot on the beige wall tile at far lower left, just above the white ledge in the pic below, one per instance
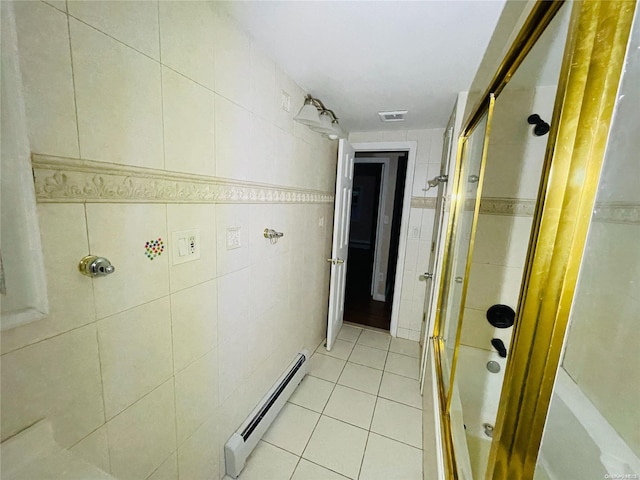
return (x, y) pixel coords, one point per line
(57, 379)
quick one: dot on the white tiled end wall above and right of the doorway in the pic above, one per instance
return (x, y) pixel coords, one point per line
(416, 260)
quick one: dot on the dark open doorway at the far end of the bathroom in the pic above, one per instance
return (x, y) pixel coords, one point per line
(374, 236)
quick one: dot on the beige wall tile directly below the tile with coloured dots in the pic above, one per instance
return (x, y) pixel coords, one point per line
(135, 353)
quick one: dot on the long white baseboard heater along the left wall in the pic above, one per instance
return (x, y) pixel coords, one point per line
(245, 439)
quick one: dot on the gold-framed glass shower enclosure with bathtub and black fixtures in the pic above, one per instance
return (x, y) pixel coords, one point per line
(524, 198)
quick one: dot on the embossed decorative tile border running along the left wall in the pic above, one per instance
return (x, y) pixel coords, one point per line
(71, 180)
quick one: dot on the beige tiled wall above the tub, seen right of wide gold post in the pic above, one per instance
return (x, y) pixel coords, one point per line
(601, 353)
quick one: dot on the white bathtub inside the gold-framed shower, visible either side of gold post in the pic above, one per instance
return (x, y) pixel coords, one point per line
(578, 441)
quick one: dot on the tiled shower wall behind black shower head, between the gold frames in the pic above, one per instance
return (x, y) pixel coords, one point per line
(512, 177)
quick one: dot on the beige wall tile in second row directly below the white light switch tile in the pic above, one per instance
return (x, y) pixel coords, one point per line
(196, 394)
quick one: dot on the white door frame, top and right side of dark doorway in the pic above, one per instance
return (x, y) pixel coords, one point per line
(410, 147)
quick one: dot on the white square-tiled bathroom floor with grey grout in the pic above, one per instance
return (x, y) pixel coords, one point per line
(357, 414)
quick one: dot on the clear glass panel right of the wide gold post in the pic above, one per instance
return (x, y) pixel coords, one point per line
(593, 425)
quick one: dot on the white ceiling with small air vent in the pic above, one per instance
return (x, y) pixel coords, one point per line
(361, 57)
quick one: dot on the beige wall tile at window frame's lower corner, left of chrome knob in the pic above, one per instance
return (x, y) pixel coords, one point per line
(64, 243)
